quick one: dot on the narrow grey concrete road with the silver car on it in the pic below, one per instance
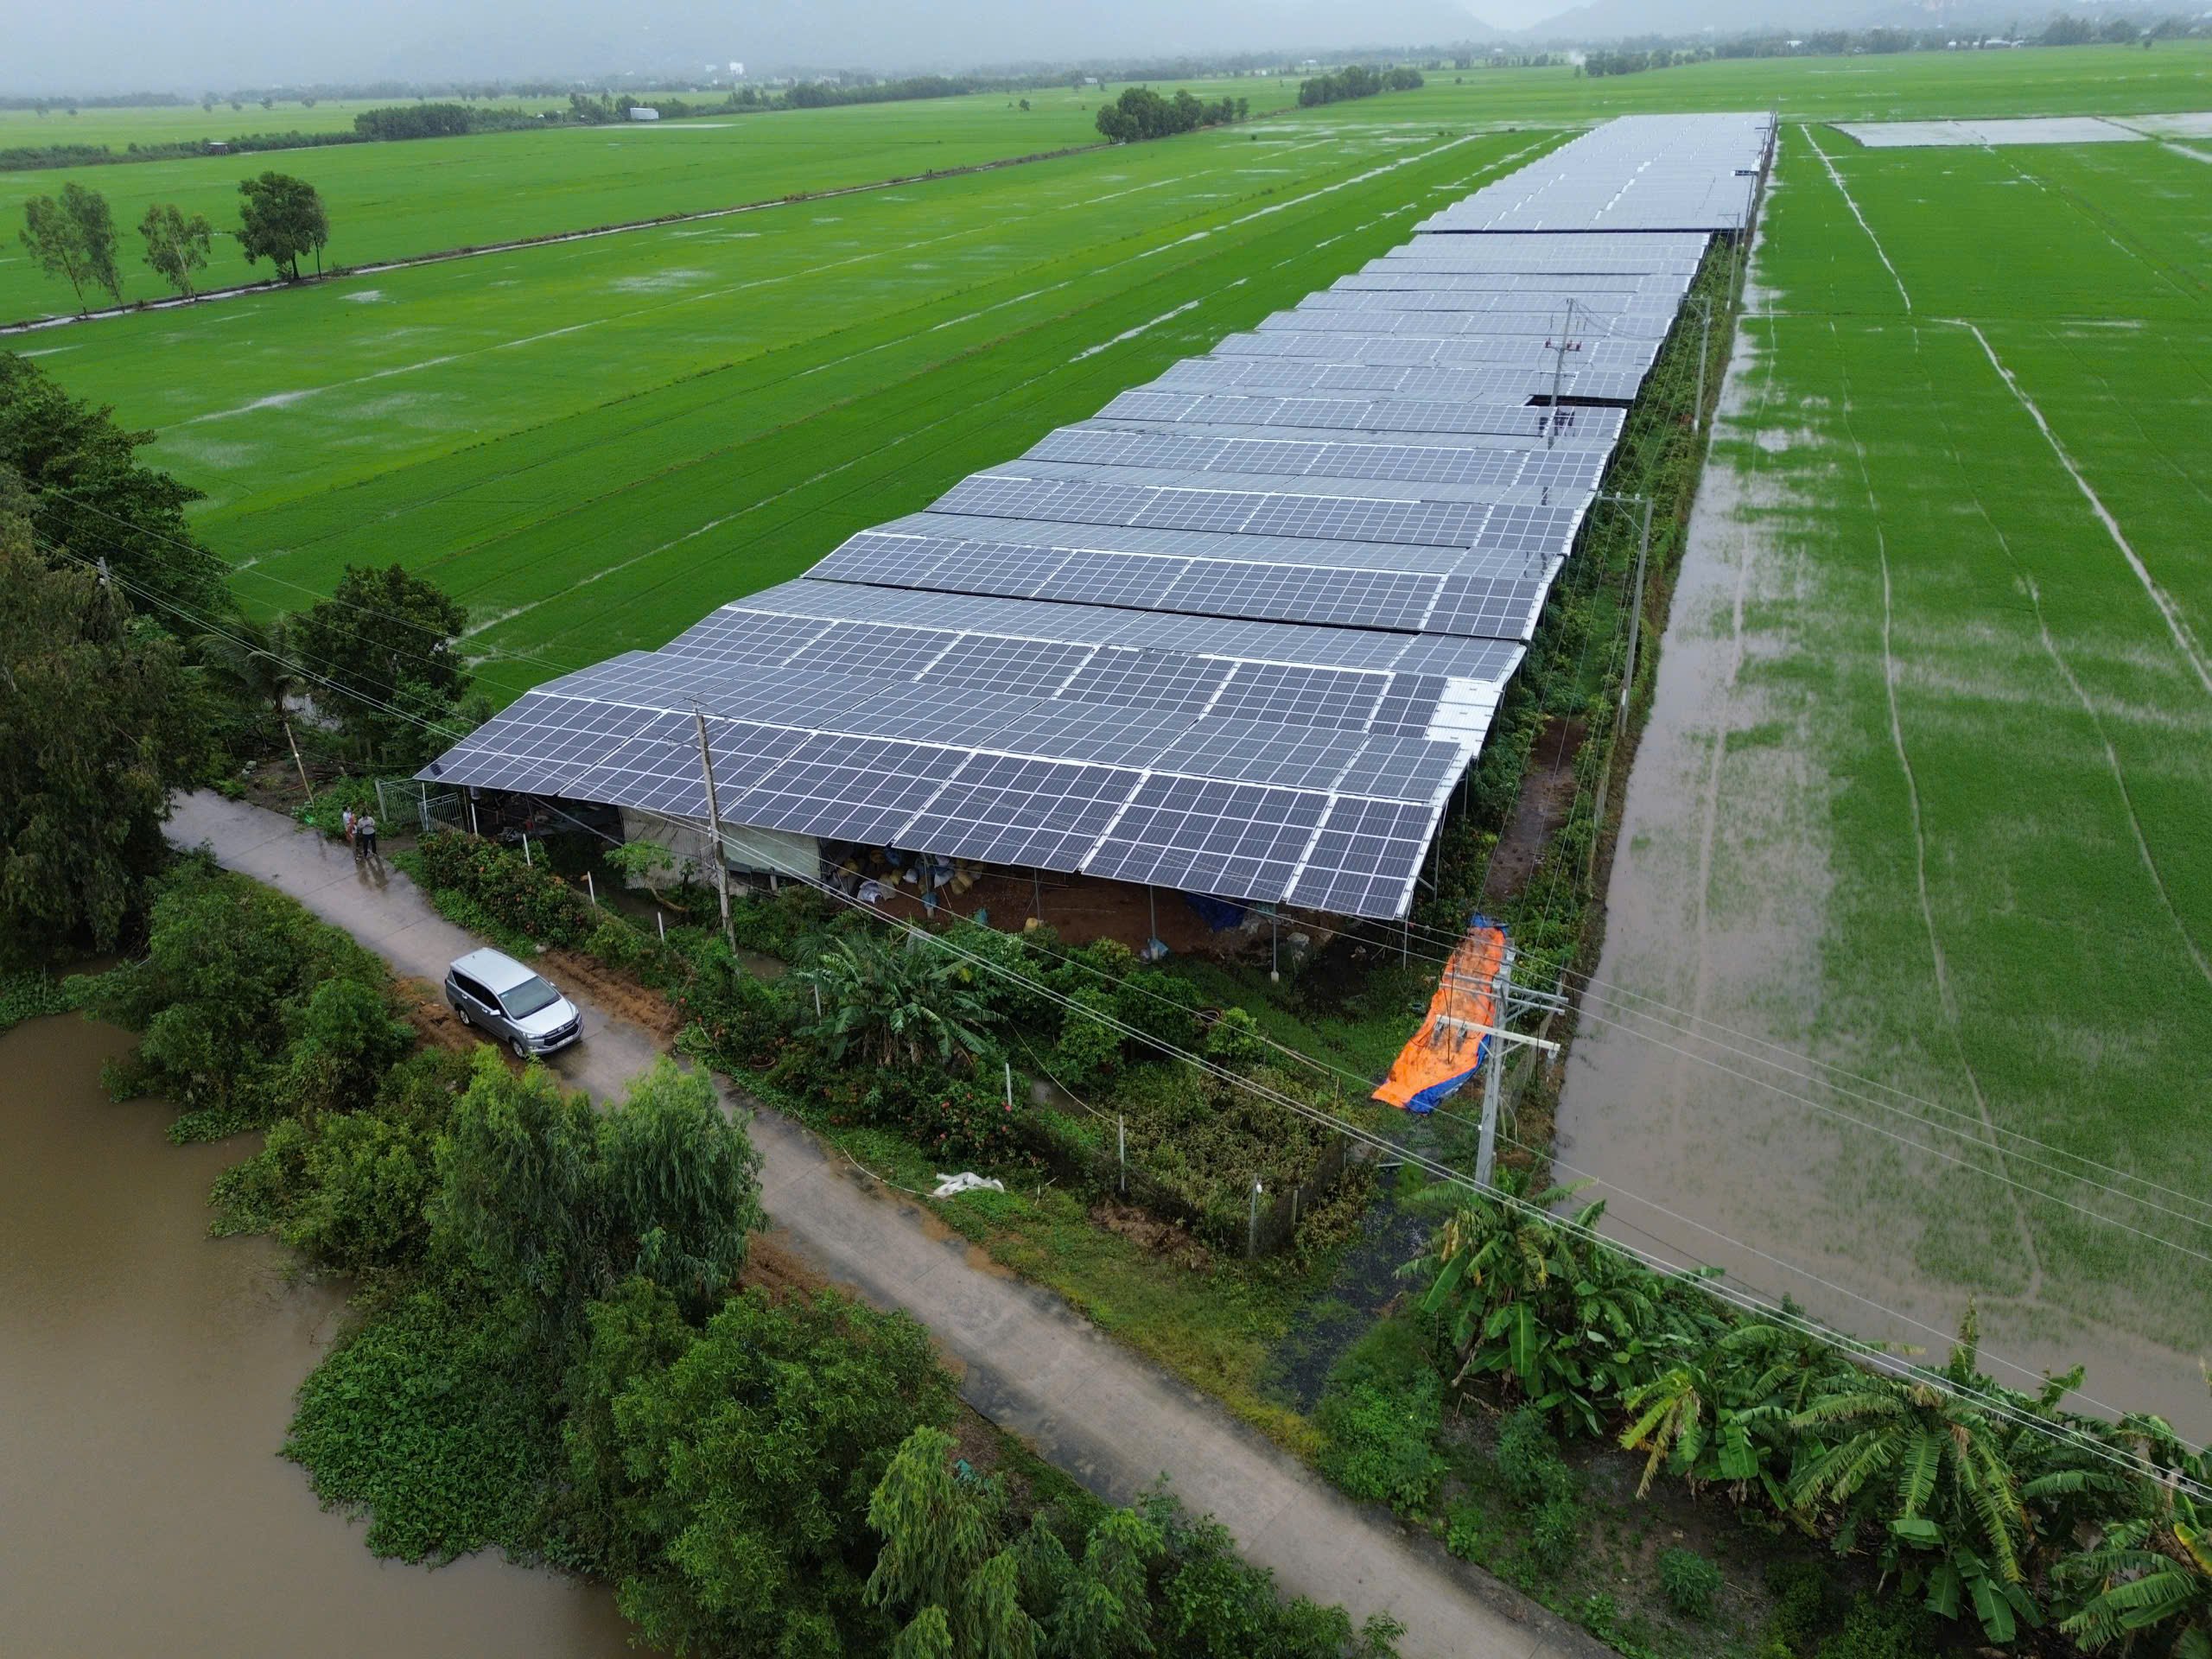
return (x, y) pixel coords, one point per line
(1027, 1359)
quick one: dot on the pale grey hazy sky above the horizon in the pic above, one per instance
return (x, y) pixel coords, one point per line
(207, 45)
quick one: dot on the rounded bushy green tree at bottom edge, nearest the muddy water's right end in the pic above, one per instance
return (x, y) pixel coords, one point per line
(758, 1454)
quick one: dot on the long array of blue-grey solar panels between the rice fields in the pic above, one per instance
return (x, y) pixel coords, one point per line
(1242, 632)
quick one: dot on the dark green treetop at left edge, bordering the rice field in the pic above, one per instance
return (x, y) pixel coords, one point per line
(90, 497)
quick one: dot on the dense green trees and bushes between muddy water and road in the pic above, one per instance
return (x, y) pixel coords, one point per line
(559, 1350)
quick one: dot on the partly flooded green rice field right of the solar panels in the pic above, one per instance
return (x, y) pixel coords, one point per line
(1948, 813)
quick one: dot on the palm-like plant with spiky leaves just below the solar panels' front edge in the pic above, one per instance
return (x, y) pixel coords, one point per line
(897, 1005)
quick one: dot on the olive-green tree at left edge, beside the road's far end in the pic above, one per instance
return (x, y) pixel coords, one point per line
(98, 724)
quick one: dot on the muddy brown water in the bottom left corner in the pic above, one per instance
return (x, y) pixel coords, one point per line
(147, 1377)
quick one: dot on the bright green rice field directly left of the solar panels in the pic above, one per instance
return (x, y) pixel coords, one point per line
(596, 444)
